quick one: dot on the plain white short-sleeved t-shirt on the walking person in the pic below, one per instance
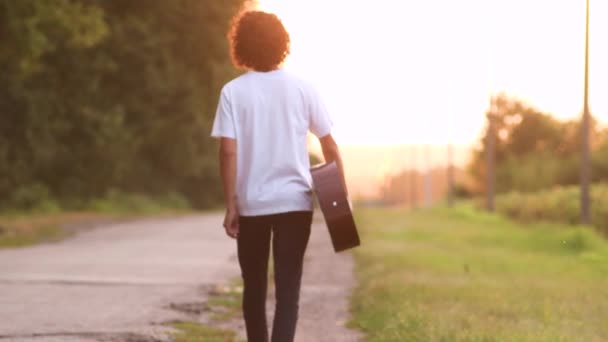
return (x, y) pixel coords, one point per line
(269, 114)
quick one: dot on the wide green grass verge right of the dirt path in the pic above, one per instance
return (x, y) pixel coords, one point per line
(461, 275)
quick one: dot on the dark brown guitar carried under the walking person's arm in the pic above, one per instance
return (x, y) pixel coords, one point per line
(331, 196)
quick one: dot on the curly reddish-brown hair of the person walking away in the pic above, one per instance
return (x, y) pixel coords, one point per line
(258, 41)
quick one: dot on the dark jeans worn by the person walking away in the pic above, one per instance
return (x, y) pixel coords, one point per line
(290, 232)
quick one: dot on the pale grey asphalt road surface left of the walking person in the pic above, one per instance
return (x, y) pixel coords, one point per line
(114, 283)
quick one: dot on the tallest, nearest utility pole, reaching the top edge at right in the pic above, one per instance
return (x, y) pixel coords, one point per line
(585, 154)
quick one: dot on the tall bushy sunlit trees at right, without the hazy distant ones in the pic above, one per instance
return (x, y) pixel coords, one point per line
(535, 151)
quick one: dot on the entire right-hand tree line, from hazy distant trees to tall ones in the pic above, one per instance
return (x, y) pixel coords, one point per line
(534, 151)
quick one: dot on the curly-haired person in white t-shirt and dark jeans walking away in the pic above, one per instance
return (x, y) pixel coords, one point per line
(263, 119)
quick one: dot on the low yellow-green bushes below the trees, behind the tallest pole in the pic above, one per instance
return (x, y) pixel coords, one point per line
(559, 204)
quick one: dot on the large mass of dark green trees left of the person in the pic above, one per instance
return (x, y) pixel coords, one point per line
(110, 94)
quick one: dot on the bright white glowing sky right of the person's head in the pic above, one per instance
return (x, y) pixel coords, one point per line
(398, 72)
